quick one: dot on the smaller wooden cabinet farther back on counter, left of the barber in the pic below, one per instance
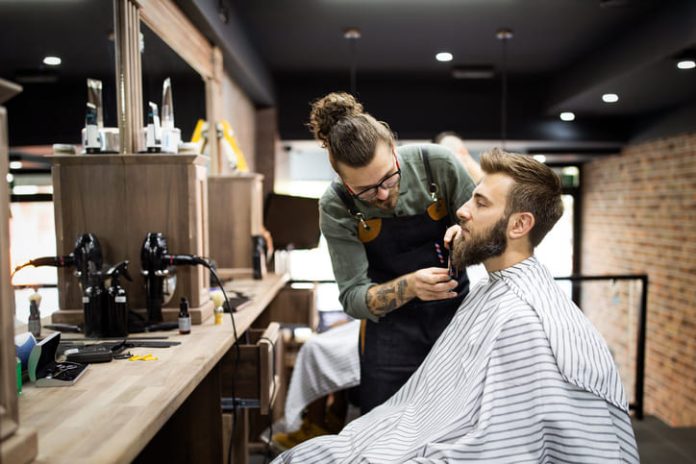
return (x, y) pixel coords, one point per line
(235, 214)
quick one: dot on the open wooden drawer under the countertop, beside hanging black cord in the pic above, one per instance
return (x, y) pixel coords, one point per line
(255, 380)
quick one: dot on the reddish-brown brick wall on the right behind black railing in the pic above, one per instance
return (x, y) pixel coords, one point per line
(639, 216)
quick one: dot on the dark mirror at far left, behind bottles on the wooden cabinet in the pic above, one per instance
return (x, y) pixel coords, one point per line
(51, 108)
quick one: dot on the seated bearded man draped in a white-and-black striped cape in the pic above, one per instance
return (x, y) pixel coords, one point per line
(519, 375)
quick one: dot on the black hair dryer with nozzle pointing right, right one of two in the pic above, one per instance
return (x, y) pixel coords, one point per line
(159, 273)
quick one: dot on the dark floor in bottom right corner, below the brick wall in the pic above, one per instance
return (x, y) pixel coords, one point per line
(657, 443)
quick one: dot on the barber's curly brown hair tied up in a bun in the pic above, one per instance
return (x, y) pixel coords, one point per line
(351, 135)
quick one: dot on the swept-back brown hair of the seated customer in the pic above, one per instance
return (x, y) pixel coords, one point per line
(537, 189)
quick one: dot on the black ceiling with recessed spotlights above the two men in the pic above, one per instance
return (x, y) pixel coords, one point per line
(563, 56)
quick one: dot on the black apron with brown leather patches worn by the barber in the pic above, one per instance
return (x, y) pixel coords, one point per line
(393, 348)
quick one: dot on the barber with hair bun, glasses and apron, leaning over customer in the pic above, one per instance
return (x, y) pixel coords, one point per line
(384, 223)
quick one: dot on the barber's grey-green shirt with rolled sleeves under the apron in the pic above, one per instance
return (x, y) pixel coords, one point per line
(348, 255)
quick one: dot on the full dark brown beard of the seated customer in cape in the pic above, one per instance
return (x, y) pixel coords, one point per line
(477, 249)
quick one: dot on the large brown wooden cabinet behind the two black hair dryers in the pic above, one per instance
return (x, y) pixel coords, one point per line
(120, 198)
